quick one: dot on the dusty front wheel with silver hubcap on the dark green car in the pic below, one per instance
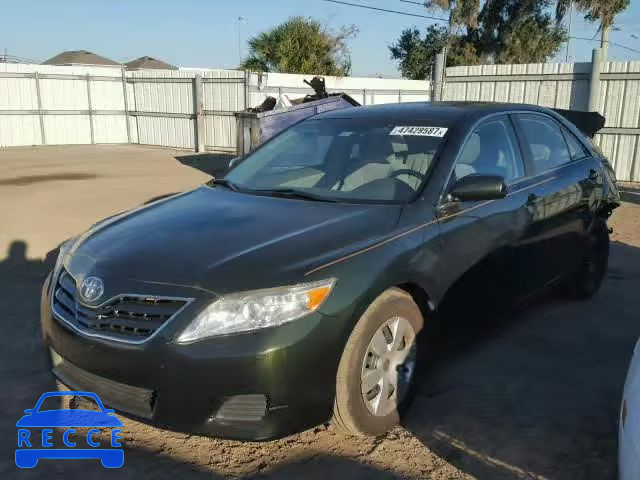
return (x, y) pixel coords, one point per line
(395, 319)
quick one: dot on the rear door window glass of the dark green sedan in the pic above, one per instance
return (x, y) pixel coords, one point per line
(545, 140)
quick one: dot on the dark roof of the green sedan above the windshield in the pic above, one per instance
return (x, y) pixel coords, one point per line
(446, 112)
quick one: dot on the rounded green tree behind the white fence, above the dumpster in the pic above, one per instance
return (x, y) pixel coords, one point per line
(301, 45)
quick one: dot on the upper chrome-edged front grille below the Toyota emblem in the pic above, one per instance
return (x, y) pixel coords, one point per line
(132, 318)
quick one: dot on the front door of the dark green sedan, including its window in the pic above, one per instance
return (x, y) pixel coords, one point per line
(487, 242)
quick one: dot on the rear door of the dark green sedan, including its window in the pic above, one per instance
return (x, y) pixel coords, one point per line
(564, 178)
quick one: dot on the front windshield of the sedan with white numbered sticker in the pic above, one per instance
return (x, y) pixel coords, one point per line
(342, 160)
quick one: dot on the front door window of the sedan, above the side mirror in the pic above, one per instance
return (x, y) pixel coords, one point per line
(491, 150)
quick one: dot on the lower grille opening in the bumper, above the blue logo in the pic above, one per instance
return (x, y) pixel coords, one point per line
(126, 398)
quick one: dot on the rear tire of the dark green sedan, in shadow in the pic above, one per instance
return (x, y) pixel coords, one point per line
(585, 283)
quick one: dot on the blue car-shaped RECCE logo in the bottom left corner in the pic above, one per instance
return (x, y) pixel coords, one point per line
(30, 450)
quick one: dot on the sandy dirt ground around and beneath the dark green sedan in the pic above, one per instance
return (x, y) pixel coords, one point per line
(532, 395)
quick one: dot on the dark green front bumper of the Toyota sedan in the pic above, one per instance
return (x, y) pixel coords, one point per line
(253, 386)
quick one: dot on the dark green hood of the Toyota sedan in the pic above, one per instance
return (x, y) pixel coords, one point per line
(219, 240)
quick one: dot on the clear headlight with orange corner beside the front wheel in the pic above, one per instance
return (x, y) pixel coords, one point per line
(242, 312)
